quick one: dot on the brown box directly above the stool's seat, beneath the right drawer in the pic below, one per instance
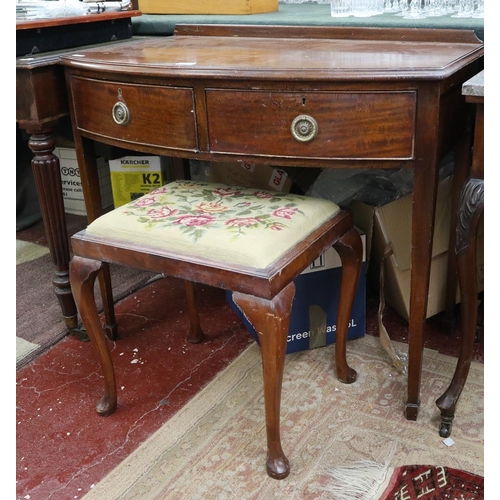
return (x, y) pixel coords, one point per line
(294, 179)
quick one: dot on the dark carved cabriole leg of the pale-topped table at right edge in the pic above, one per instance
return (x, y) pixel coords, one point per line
(469, 212)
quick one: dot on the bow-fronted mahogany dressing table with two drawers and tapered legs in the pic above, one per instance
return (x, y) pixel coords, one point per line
(309, 96)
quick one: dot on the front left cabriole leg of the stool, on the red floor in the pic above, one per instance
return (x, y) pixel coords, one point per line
(83, 273)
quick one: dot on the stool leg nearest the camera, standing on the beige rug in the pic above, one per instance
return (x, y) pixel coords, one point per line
(271, 320)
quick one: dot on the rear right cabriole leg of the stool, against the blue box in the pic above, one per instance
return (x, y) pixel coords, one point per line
(350, 249)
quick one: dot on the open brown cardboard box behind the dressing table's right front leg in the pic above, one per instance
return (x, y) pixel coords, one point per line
(392, 226)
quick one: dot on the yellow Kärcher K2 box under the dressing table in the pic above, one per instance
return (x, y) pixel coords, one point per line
(133, 176)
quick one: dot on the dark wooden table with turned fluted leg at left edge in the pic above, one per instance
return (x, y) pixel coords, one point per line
(41, 101)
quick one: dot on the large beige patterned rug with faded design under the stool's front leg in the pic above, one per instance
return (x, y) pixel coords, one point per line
(335, 435)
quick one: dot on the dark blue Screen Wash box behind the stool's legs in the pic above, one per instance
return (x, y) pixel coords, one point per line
(314, 308)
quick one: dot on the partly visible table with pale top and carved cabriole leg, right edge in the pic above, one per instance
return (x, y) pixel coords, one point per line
(469, 212)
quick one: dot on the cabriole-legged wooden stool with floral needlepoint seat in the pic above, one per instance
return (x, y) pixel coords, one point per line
(245, 240)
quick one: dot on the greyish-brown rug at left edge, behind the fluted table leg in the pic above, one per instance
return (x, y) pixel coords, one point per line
(39, 322)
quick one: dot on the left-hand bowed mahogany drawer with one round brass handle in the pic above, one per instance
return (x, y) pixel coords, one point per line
(138, 114)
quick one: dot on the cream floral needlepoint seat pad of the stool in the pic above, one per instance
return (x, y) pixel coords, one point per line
(226, 223)
